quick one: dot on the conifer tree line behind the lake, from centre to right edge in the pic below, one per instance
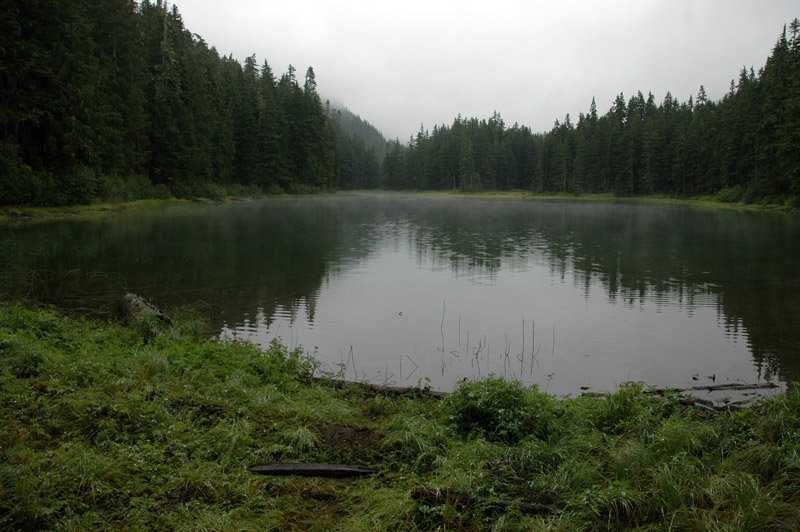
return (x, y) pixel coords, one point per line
(744, 147)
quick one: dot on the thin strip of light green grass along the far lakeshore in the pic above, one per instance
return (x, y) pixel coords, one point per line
(12, 213)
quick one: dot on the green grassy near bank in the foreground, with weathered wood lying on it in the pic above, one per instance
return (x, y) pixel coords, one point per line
(143, 426)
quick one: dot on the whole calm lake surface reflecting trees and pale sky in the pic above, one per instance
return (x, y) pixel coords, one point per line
(410, 289)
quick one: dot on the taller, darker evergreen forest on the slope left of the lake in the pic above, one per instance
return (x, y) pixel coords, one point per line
(117, 99)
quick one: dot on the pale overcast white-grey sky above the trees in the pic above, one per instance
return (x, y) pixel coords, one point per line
(402, 64)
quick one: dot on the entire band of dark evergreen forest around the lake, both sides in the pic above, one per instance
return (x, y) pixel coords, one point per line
(117, 100)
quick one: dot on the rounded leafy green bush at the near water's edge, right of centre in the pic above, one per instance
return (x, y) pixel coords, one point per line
(500, 410)
